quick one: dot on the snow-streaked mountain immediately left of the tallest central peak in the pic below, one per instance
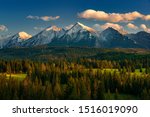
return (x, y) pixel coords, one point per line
(45, 37)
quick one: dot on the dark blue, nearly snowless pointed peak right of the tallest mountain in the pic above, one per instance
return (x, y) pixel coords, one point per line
(111, 38)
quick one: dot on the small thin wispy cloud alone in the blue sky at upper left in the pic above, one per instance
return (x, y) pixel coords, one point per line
(44, 18)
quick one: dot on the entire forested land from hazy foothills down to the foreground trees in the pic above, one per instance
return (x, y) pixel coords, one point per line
(75, 73)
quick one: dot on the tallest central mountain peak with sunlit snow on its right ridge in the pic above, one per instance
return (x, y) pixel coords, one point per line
(78, 35)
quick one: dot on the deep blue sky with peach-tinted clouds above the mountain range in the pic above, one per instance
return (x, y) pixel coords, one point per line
(33, 15)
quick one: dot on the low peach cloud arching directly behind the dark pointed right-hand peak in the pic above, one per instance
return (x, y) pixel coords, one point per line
(112, 25)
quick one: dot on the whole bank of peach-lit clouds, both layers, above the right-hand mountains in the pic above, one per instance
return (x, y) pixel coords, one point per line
(123, 22)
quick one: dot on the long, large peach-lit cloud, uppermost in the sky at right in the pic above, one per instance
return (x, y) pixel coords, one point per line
(112, 17)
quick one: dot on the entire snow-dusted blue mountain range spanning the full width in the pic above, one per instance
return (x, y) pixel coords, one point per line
(78, 35)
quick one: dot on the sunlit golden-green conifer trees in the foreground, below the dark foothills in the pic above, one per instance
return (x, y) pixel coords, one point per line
(77, 79)
